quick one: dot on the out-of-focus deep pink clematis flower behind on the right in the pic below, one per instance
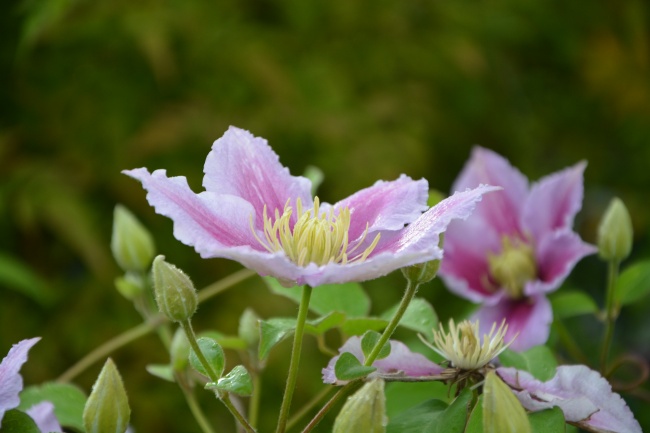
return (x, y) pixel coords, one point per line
(517, 247)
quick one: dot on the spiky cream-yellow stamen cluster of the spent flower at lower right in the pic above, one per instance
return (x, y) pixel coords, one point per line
(462, 345)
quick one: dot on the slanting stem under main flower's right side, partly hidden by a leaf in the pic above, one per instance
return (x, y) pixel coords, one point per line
(409, 294)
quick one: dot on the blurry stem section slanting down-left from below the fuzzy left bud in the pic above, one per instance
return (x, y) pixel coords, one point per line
(108, 347)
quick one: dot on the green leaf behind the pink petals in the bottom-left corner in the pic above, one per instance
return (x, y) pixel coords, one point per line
(68, 400)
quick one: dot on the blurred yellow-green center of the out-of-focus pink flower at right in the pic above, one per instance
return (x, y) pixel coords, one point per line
(513, 266)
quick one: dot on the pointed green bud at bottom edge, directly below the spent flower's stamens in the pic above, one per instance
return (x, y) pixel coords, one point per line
(502, 411)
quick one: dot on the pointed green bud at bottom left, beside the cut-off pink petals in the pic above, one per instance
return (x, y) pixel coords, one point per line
(107, 409)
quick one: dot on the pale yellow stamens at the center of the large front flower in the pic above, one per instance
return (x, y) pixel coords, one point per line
(316, 237)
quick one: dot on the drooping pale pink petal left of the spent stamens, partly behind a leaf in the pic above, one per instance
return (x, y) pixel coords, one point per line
(401, 360)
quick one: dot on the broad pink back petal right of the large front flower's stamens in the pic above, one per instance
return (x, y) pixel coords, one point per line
(386, 205)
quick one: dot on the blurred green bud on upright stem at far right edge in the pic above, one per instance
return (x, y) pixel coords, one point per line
(615, 232)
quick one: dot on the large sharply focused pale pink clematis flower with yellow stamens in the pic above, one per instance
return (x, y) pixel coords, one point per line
(255, 212)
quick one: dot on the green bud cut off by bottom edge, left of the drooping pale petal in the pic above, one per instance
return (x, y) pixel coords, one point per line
(365, 411)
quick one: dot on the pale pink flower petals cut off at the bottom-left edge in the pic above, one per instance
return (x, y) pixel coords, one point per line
(11, 383)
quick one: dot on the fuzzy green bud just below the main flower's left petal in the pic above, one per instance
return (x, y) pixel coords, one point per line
(175, 293)
